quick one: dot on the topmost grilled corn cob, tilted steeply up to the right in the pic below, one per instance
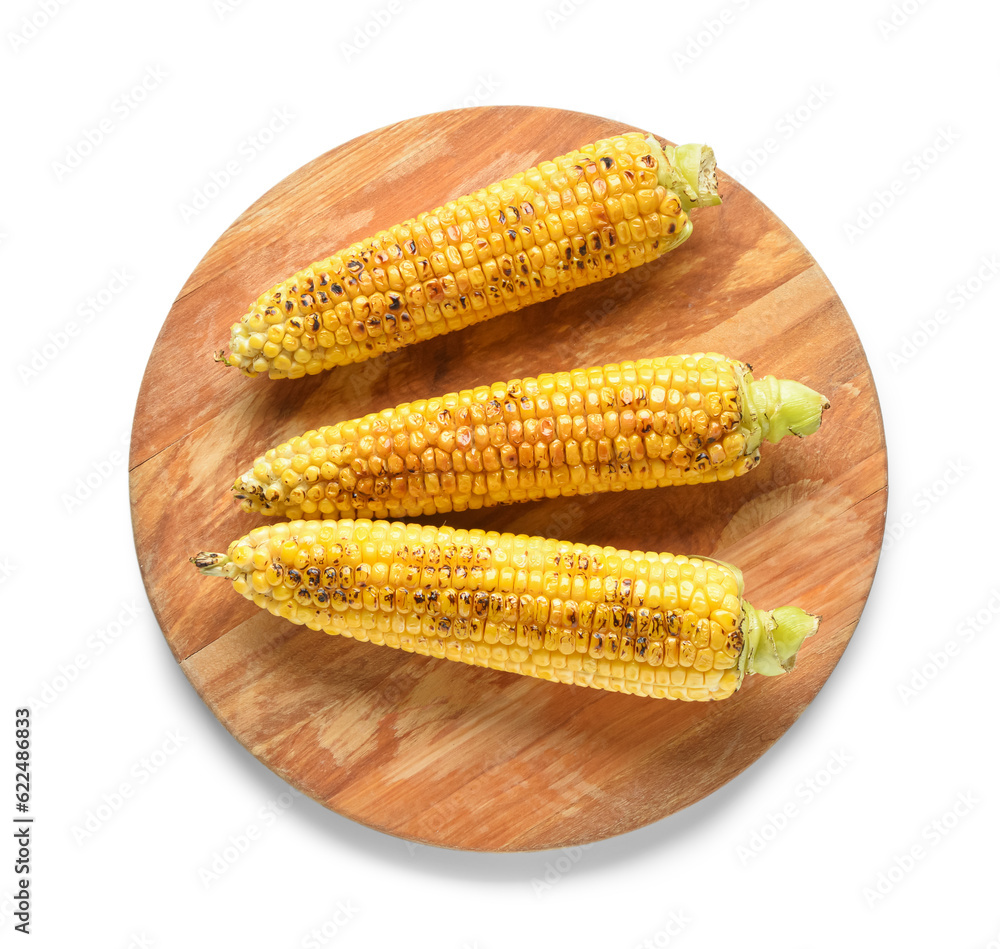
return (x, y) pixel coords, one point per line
(587, 215)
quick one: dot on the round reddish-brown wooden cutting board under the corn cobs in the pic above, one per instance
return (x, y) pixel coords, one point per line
(439, 752)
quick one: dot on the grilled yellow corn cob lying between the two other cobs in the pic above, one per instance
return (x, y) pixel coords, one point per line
(531, 444)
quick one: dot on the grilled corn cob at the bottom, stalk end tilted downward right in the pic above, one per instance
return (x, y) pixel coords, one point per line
(625, 621)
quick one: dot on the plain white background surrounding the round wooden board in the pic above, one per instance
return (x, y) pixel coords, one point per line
(881, 118)
